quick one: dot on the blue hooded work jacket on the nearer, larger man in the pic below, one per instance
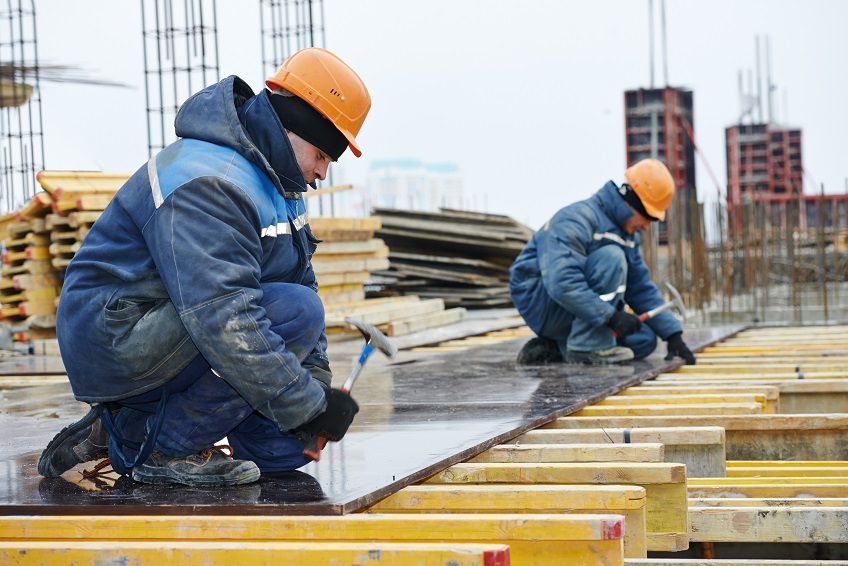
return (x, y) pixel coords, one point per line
(173, 267)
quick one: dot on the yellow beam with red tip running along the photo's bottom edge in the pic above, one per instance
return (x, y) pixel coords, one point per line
(190, 553)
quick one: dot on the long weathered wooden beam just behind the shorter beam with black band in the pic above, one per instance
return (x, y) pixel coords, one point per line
(752, 437)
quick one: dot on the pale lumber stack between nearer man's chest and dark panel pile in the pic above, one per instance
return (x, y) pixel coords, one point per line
(344, 262)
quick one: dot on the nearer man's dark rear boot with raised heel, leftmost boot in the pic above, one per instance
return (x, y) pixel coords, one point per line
(83, 441)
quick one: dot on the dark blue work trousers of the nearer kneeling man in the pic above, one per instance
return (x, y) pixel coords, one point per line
(200, 408)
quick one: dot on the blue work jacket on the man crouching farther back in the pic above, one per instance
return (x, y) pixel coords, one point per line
(553, 262)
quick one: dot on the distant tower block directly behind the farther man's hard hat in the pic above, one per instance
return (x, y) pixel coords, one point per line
(656, 124)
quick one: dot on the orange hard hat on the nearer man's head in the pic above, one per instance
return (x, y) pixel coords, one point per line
(330, 86)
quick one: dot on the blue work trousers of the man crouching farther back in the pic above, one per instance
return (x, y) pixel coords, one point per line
(606, 273)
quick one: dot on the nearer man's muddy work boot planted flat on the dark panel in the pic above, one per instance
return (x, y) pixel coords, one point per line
(205, 469)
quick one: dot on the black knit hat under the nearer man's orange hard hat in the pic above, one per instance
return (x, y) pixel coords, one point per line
(302, 119)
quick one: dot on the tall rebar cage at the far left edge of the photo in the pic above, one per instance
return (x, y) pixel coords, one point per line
(21, 136)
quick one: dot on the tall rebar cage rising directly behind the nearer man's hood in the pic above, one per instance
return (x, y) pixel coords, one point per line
(180, 58)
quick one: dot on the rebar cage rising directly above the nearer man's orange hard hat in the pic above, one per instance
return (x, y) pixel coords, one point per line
(287, 27)
